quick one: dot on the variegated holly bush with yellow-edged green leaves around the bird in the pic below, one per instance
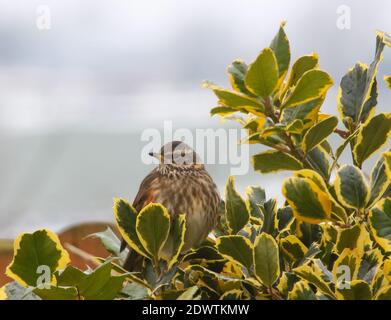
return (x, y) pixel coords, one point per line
(331, 239)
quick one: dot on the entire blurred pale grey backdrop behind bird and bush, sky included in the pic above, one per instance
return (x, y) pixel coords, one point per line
(75, 98)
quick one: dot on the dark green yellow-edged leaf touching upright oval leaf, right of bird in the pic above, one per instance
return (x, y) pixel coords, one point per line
(236, 248)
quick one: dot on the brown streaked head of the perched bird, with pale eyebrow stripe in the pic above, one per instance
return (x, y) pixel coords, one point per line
(177, 153)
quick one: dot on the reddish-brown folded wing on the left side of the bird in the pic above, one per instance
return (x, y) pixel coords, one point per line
(147, 193)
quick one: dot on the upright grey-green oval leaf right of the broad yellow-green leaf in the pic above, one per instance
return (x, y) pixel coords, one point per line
(351, 188)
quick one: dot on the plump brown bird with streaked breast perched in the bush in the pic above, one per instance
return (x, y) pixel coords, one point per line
(181, 184)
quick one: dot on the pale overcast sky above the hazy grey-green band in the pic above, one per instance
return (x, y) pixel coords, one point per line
(112, 61)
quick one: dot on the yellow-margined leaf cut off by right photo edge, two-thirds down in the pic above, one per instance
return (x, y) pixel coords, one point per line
(380, 223)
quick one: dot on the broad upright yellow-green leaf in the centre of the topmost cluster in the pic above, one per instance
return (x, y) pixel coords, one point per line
(262, 75)
